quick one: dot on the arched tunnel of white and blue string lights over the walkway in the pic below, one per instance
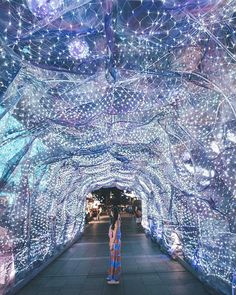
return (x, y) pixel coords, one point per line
(139, 95)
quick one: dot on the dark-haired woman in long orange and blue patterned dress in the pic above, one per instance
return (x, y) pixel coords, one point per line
(114, 270)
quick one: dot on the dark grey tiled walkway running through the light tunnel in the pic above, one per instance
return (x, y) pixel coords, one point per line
(81, 270)
